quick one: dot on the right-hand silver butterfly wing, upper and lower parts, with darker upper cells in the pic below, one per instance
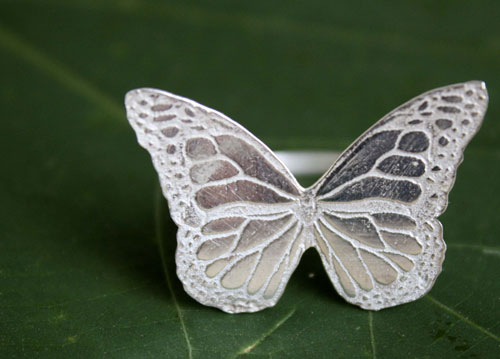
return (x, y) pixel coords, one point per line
(377, 230)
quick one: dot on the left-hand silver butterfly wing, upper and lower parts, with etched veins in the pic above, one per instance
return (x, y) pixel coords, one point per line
(232, 199)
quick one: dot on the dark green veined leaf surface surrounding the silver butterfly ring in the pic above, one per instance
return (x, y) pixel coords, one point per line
(80, 270)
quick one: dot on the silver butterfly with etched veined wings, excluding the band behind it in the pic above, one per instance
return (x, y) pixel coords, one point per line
(244, 220)
